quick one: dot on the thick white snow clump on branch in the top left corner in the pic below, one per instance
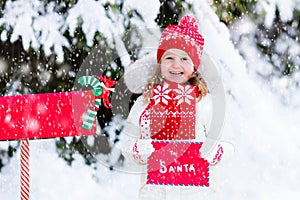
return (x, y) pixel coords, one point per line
(36, 25)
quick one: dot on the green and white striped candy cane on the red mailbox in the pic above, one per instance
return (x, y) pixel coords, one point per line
(90, 116)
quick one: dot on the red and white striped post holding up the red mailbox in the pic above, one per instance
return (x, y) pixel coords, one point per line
(25, 173)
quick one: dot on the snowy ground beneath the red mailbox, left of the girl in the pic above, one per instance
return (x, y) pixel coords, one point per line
(52, 178)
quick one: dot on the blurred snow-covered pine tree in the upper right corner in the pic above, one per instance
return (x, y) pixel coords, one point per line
(272, 30)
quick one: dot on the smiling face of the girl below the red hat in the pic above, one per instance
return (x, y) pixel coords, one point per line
(176, 66)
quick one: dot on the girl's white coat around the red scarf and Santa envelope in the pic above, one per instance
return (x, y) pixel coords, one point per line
(131, 135)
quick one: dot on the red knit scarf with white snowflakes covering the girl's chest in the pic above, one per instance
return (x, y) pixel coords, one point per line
(171, 113)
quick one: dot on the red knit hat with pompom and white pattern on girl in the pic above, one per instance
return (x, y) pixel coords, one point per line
(184, 36)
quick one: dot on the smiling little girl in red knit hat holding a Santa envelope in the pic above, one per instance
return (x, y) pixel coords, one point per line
(175, 105)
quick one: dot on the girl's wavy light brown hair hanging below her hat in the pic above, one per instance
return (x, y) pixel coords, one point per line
(156, 78)
